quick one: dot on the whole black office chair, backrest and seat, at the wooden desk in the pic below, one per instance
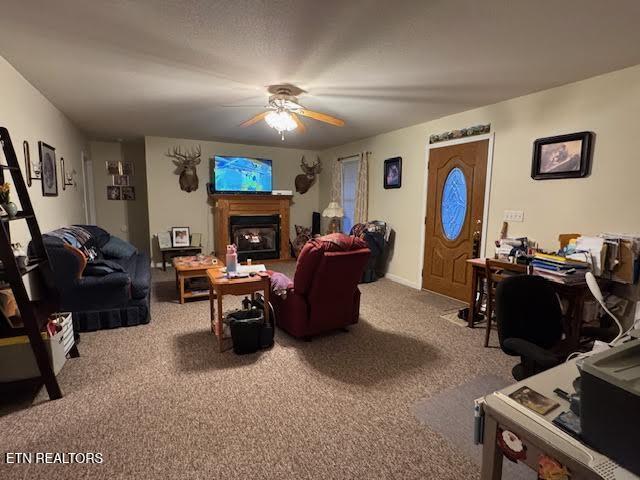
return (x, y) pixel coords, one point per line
(529, 324)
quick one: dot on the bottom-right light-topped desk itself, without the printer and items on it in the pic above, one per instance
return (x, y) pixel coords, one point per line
(538, 434)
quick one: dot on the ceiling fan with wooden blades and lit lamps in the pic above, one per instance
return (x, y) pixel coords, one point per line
(283, 111)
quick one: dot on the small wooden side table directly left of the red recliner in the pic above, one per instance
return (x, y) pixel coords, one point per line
(220, 285)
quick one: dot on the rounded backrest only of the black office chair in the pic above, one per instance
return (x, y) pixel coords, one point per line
(527, 307)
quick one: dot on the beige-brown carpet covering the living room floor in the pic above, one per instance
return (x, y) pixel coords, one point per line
(158, 401)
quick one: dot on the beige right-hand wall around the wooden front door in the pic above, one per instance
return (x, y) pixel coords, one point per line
(607, 105)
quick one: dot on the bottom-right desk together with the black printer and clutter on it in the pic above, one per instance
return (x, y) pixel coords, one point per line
(580, 416)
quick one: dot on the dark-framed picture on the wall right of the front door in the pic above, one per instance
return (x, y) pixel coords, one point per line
(563, 156)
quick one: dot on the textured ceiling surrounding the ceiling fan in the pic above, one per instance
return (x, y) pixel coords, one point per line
(121, 68)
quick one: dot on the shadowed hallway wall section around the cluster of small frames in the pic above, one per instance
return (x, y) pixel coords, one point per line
(125, 219)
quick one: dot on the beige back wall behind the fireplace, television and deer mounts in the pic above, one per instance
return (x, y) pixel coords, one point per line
(171, 207)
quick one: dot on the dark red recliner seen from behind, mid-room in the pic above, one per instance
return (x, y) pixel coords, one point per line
(325, 294)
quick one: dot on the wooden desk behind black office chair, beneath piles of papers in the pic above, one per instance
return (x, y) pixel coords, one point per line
(574, 293)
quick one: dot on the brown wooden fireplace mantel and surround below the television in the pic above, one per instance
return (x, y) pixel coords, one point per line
(226, 205)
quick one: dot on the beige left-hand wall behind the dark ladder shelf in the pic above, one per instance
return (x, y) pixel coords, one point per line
(28, 115)
